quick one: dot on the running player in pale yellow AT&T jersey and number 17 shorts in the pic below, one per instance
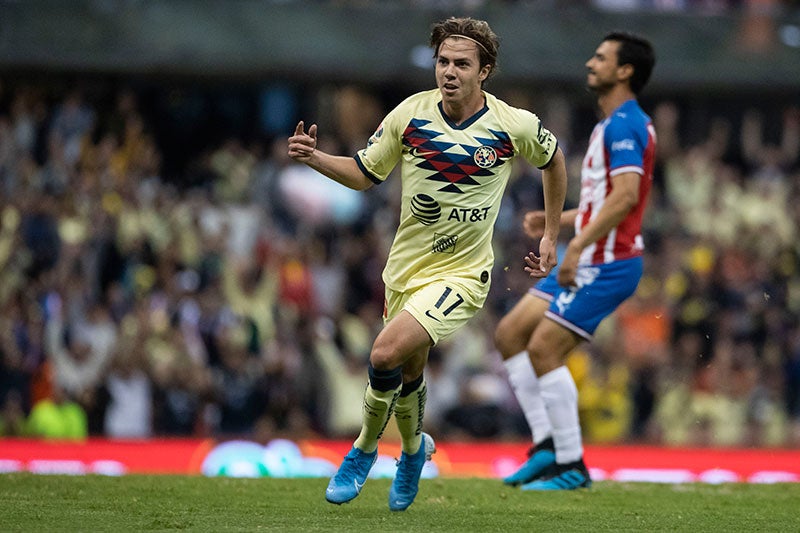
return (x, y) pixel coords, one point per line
(455, 145)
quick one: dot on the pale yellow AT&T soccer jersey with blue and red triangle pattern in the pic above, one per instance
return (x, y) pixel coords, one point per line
(453, 179)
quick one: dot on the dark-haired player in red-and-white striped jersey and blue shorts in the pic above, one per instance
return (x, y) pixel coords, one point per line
(600, 269)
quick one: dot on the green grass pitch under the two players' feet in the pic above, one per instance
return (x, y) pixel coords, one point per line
(31, 502)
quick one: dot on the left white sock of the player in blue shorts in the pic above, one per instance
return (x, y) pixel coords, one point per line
(526, 388)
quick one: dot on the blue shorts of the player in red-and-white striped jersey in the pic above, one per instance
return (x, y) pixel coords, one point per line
(601, 289)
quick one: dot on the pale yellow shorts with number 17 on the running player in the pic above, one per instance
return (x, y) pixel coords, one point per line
(441, 307)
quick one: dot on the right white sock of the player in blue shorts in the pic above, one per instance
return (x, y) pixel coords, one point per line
(561, 400)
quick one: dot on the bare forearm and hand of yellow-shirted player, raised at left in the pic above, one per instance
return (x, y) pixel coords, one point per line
(342, 169)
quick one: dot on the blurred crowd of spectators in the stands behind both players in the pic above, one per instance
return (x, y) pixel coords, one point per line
(155, 285)
